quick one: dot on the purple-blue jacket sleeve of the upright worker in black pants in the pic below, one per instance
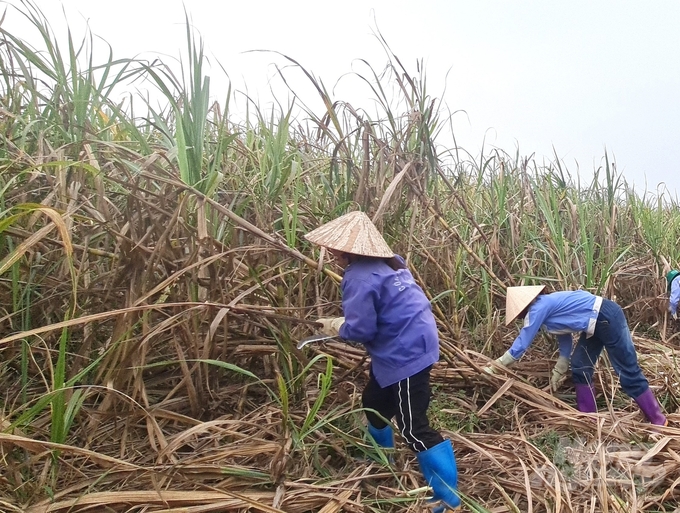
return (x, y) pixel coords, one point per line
(358, 306)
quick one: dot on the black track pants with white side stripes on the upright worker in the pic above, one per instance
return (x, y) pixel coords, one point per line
(407, 401)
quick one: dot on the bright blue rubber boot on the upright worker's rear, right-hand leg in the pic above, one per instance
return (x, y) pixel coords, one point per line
(438, 465)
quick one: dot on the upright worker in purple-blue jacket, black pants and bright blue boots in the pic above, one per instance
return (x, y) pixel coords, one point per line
(387, 311)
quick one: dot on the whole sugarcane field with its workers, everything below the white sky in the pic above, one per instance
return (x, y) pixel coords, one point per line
(179, 332)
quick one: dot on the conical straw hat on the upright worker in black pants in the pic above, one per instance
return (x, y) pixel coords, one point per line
(352, 233)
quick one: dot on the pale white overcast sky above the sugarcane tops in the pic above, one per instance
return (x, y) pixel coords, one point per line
(579, 76)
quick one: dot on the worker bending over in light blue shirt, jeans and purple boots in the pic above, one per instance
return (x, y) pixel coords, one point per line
(602, 325)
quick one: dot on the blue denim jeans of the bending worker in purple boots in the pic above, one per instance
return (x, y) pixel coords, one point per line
(612, 334)
